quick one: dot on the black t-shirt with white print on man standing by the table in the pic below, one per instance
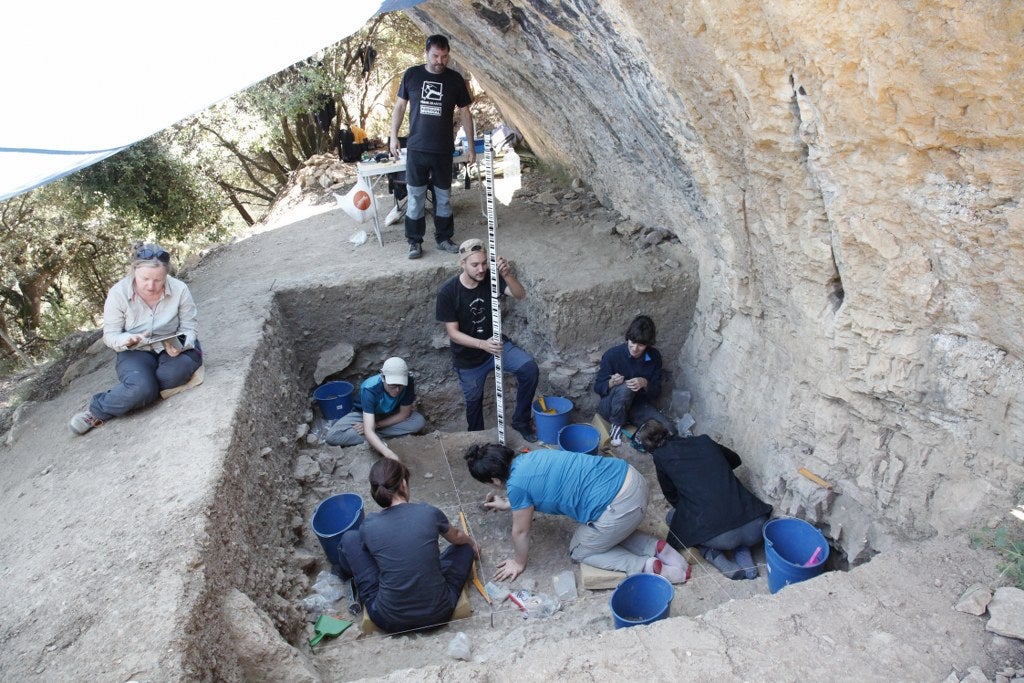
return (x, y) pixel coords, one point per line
(433, 100)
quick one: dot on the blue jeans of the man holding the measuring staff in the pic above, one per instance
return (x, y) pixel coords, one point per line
(515, 361)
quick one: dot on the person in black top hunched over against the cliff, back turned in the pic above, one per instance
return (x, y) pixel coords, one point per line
(712, 509)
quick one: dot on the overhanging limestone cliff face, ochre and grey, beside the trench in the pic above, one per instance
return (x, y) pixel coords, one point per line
(849, 177)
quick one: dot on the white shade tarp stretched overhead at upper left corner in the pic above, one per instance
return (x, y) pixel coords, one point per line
(82, 81)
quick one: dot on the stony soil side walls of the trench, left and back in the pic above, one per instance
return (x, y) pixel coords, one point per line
(254, 570)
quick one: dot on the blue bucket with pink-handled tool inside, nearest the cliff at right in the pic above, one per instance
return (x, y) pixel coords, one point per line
(790, 545)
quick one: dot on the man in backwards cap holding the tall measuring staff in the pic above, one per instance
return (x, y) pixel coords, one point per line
(464, 308)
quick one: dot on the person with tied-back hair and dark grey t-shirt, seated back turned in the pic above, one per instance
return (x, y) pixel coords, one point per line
(405, 583)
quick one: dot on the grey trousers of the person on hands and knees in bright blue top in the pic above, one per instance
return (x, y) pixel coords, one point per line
(612, 541)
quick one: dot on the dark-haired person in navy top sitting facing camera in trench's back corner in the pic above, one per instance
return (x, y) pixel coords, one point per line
(630, 378)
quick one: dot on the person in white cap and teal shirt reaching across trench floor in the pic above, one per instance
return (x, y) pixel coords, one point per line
(385, 409)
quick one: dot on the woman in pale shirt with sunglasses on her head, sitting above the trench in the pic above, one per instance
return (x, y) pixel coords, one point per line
(147, 305)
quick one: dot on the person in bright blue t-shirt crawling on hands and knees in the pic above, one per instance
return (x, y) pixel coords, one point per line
(607, 496)
